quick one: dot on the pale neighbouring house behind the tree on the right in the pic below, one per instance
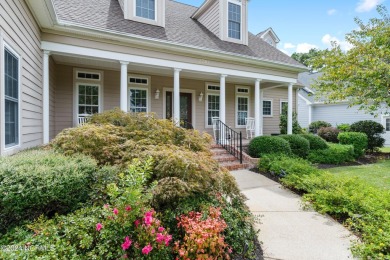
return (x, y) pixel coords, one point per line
(310, 110)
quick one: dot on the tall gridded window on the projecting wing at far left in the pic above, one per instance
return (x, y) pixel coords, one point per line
(11, 96)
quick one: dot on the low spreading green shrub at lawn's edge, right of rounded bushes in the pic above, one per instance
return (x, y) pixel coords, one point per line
(335, 154)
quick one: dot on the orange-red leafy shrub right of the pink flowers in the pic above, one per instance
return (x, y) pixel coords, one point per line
(203, 238)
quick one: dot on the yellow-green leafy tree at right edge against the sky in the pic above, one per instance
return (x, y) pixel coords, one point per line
(361, 75)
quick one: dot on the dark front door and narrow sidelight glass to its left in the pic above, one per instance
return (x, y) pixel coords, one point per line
(185, 108)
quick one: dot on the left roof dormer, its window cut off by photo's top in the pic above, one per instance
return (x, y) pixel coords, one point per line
(144, 11)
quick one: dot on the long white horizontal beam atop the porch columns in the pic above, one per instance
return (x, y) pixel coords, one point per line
(135, 59)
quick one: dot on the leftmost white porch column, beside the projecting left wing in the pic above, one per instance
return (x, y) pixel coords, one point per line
(46, 98)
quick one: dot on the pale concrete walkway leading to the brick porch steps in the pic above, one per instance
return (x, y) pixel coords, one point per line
(287, 231)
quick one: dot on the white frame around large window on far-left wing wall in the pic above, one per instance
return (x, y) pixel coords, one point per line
(5, 45)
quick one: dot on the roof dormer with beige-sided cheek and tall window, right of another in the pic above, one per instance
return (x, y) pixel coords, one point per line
(227, 19)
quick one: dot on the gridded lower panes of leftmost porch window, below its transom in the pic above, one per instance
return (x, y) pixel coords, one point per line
(88, 99)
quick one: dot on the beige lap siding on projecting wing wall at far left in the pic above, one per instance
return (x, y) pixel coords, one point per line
(20, 31)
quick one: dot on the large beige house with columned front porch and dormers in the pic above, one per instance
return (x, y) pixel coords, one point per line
(64, 58)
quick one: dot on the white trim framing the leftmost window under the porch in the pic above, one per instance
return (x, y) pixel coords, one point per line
(89, 82)
